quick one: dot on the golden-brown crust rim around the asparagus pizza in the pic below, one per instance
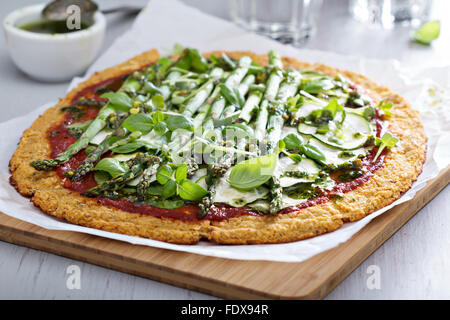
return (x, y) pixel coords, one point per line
(403, 164)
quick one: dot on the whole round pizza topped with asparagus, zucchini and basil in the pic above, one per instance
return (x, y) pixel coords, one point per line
(230, 147)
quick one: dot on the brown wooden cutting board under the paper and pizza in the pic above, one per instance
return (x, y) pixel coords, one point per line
(238, 279)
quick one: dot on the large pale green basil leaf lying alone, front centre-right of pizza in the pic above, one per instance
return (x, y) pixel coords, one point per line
(252, 173)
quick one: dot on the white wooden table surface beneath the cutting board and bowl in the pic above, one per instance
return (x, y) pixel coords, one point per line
(413, 264)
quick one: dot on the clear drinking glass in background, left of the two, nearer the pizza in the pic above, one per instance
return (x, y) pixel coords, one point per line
(288, 21)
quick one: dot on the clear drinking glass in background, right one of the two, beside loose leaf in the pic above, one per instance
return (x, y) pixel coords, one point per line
(387, 13)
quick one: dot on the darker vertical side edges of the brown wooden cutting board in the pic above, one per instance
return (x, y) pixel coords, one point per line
(217, 288)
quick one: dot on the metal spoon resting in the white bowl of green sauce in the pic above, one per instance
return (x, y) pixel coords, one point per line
(57, 10)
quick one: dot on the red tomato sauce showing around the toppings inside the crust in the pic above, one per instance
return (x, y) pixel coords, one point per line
(60, 139)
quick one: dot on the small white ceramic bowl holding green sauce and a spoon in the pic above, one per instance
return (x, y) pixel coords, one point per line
(51, 57)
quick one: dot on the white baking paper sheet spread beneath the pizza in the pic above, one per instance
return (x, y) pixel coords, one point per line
(166, 22)
